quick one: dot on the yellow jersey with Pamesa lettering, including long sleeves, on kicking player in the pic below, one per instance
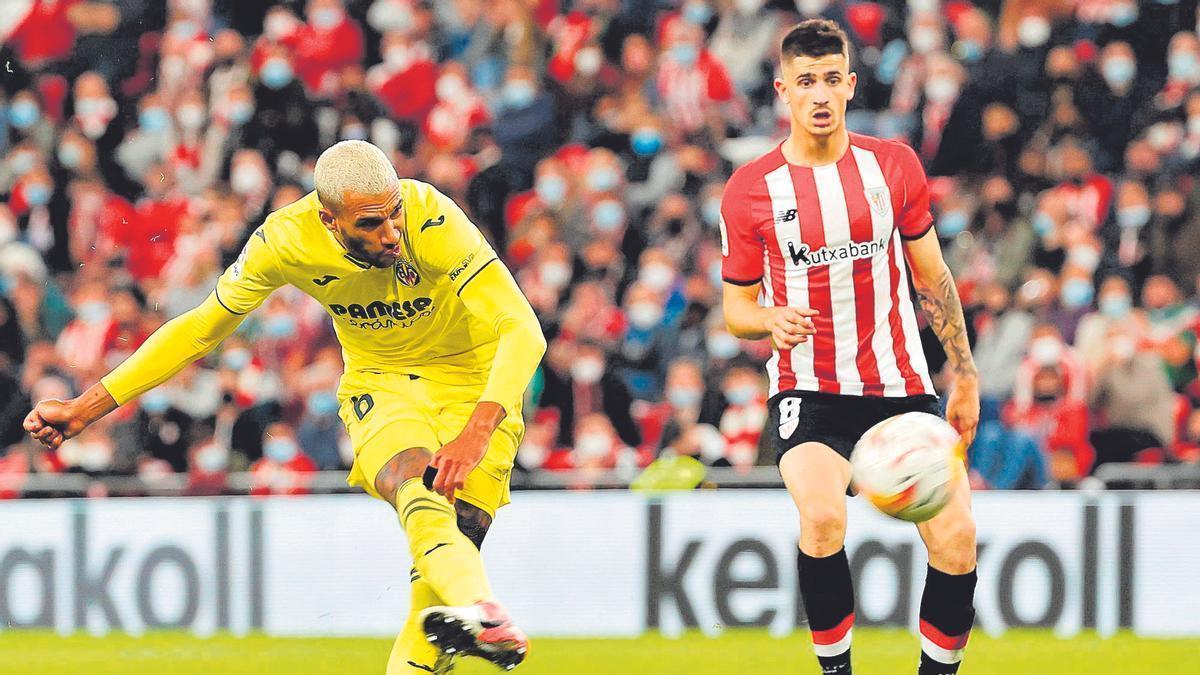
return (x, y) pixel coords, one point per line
(412, 318)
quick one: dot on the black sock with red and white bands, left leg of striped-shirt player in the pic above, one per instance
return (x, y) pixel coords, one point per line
(830, 602)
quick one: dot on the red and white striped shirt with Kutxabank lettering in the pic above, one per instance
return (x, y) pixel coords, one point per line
(830, 238)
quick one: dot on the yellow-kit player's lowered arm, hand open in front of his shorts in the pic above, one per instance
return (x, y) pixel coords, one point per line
(494, 297)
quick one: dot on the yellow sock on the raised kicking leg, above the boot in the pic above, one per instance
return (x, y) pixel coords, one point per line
(442, 554)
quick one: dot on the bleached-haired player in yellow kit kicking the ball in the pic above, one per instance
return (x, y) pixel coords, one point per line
(440, 347)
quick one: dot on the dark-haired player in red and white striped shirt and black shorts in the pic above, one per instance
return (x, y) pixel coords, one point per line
(821, 238)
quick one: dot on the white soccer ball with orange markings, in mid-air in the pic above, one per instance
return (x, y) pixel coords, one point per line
(904, 465)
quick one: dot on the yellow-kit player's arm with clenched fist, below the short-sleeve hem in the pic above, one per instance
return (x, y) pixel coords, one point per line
(177, 344)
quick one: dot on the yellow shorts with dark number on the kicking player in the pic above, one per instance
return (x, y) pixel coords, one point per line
(388, 413)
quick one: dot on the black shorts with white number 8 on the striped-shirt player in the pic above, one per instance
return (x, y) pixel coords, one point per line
(837, 421)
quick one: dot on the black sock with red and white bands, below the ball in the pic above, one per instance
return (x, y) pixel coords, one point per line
(946, 618)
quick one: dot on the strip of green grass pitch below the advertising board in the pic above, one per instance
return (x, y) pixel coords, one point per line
(877, 653)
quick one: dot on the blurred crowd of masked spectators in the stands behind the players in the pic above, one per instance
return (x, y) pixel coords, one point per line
(142, 142)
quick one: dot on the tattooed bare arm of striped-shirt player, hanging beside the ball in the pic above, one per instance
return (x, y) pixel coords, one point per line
(940, 301)
